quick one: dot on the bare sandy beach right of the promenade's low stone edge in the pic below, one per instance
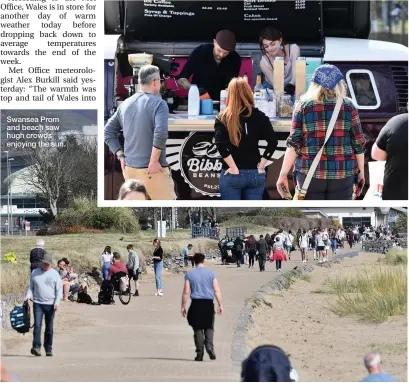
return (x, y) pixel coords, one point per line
(323, 346)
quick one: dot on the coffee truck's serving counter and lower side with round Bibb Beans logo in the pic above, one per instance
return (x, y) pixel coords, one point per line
(195, 161)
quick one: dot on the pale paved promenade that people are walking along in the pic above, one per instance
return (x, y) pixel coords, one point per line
(147, 340)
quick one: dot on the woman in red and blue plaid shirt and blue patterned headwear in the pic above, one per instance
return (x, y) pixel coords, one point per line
(342, 159)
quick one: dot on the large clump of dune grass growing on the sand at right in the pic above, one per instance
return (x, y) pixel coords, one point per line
(373, 295)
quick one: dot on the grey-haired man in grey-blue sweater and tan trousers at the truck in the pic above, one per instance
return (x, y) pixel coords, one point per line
(143, 118)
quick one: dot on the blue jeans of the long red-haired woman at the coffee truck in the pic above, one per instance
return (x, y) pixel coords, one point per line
(249, 184)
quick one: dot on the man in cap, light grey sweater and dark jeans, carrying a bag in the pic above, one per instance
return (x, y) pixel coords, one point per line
(45, 289)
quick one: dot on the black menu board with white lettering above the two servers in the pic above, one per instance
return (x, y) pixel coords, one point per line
(165, 20)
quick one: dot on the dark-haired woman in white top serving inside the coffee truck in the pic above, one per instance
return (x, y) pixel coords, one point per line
(273, 45)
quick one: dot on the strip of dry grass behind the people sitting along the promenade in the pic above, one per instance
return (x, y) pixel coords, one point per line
(83, 250)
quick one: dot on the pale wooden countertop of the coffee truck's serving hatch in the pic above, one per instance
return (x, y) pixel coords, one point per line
(181, 121)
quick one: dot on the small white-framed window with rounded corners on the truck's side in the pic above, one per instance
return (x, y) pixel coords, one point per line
(362, 86)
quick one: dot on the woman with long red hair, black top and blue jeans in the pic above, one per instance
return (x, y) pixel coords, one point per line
(238, 130)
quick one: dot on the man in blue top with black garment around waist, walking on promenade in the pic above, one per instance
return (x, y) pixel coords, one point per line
(202, 287)
